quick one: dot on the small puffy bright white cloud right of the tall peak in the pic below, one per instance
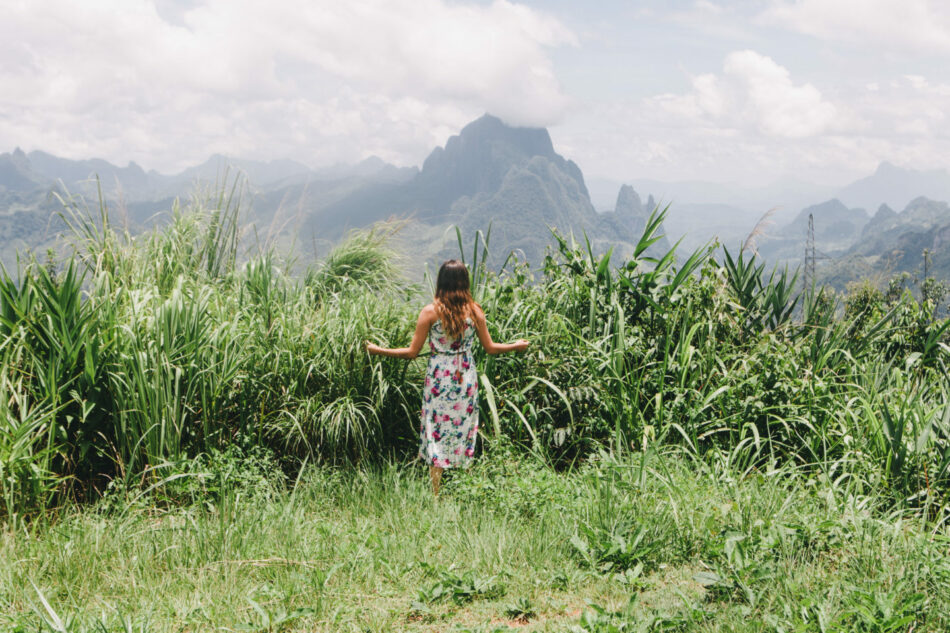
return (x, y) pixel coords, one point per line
(753, 90)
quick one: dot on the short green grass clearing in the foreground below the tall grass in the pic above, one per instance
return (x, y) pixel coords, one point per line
(615, 545)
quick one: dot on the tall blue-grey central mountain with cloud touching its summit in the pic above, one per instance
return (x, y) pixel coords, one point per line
(490, 174)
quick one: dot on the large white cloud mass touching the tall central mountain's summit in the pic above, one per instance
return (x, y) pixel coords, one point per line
(319, 81)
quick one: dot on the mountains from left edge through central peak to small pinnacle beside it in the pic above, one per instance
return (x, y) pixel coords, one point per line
(488, 175)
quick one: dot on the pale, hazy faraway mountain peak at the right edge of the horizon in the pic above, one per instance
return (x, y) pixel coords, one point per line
(896, 187)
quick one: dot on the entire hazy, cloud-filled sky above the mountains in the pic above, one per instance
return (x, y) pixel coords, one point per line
(746, 91)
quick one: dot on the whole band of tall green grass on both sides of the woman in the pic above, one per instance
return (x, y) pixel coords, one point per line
(144, 351)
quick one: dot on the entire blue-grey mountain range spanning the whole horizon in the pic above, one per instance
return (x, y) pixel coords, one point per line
(489, 174)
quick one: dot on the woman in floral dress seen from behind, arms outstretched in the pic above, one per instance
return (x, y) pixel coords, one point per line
(449, 422)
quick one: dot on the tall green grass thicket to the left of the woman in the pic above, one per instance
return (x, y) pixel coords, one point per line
(162, 350)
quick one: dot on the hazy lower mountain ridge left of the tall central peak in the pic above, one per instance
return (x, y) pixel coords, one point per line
(28, 213)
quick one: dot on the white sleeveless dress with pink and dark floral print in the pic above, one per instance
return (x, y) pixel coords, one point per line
(449, 421)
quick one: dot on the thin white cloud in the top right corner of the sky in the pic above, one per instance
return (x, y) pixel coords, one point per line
(909, 24)
